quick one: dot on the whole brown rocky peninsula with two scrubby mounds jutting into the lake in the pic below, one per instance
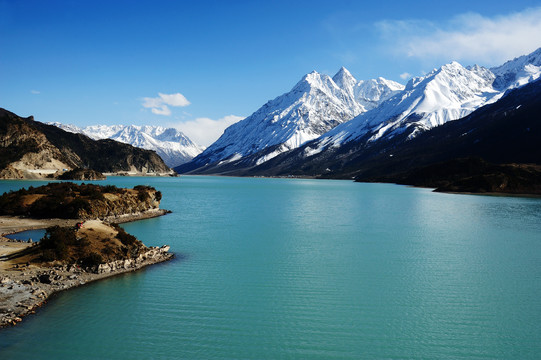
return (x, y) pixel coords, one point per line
(82, 242)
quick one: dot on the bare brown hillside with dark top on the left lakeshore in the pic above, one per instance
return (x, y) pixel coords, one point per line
(30, 149)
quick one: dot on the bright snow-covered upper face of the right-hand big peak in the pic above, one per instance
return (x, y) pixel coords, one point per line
(448, 93)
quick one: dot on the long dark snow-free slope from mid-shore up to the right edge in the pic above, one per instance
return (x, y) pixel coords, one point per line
(507, 131)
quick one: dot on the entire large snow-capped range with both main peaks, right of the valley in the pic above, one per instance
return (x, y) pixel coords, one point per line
(452, 92)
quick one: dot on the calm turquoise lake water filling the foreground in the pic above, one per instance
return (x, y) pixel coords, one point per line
(308, 269)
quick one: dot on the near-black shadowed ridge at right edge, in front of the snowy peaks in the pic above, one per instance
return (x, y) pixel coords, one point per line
(507, 131)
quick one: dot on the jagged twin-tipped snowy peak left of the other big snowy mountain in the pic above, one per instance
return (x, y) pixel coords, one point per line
(315, 105)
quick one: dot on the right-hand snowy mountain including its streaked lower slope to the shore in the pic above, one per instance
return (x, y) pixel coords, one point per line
(446, 94)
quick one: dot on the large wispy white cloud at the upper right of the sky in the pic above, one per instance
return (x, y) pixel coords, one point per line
(468, 37)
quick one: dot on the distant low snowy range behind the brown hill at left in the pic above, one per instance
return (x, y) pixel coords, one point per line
(171, 145)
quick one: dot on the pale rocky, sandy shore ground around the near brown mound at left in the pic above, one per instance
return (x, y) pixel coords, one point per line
(24, 287)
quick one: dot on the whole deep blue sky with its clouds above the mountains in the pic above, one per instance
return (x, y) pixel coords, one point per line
(214, 62)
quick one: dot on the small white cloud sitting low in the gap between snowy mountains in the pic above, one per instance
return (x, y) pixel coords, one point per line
(205, 131)
